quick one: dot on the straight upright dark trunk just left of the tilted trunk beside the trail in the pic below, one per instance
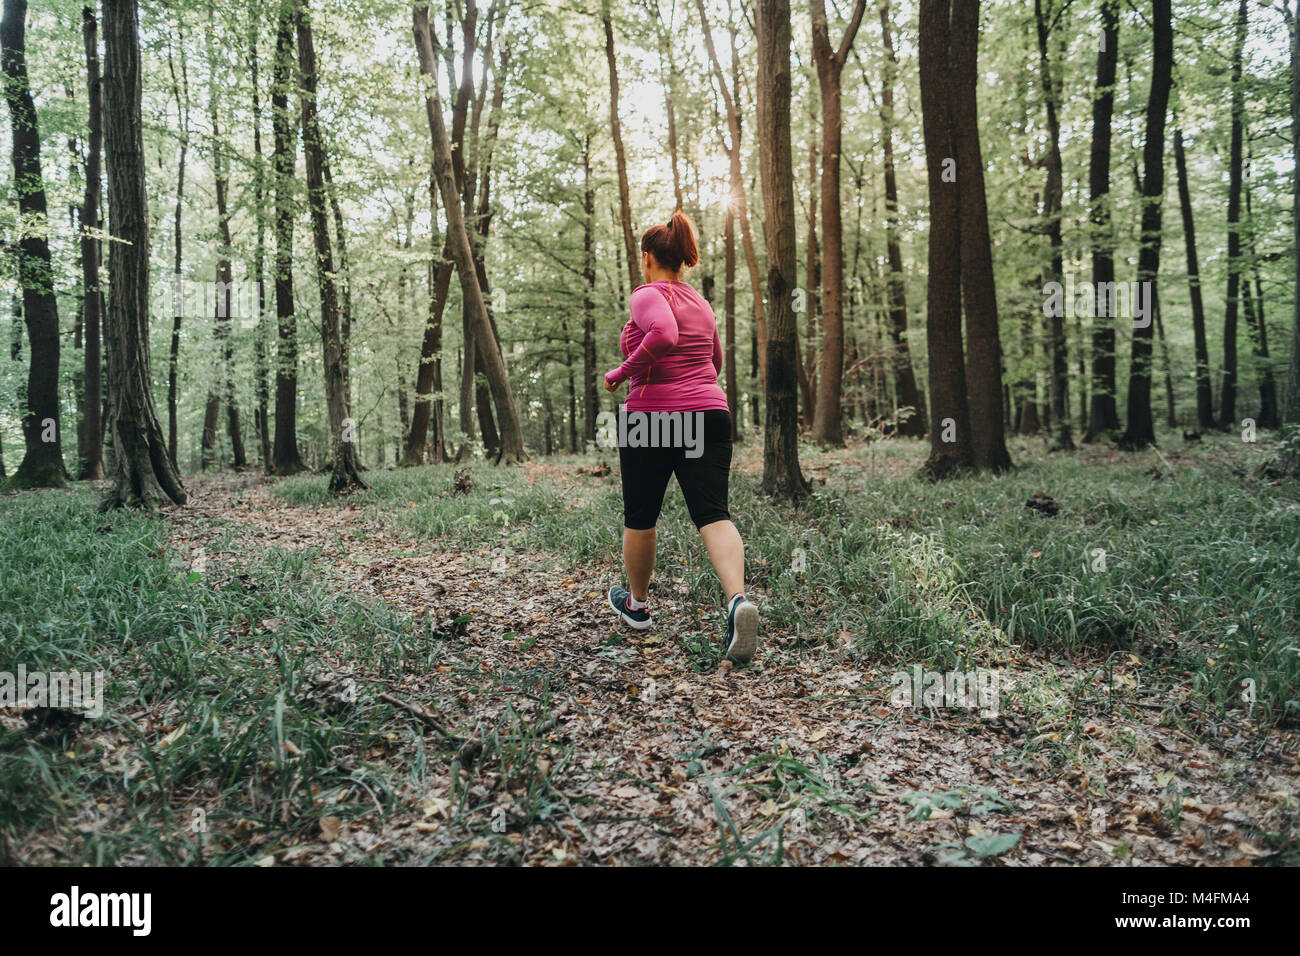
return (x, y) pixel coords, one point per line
(288, 460)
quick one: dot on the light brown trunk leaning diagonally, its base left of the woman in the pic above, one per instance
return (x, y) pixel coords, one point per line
(462, 250)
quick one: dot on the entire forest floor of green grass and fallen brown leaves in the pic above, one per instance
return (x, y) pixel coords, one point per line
(422, 674)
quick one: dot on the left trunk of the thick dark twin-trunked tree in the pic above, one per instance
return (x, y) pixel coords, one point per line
(950, 438)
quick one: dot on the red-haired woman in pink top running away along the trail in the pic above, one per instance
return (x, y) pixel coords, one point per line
(673, 360)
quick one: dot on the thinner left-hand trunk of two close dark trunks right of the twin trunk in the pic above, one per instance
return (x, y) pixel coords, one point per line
(1103, 413)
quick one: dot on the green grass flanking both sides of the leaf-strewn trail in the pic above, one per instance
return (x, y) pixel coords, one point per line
(214, 680)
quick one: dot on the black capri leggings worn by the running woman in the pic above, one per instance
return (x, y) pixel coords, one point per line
(648, 469)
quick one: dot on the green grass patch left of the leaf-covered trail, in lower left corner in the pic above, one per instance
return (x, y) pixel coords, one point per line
(223, 668)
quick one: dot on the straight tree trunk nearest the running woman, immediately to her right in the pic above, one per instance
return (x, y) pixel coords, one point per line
(782, 474)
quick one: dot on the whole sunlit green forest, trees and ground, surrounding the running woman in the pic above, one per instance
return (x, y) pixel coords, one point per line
(309, 309)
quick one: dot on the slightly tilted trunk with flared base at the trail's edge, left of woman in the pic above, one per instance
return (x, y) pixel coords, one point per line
(345, 468)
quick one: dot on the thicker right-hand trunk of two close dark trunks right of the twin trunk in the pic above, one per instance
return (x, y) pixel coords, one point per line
(1141, 430)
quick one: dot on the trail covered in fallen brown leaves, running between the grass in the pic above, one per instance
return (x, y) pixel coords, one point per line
(644, 749)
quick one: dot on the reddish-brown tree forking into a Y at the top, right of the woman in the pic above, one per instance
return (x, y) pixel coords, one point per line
(827, 423)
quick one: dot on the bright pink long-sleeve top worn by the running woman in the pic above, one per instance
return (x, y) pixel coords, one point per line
(673, 352)
